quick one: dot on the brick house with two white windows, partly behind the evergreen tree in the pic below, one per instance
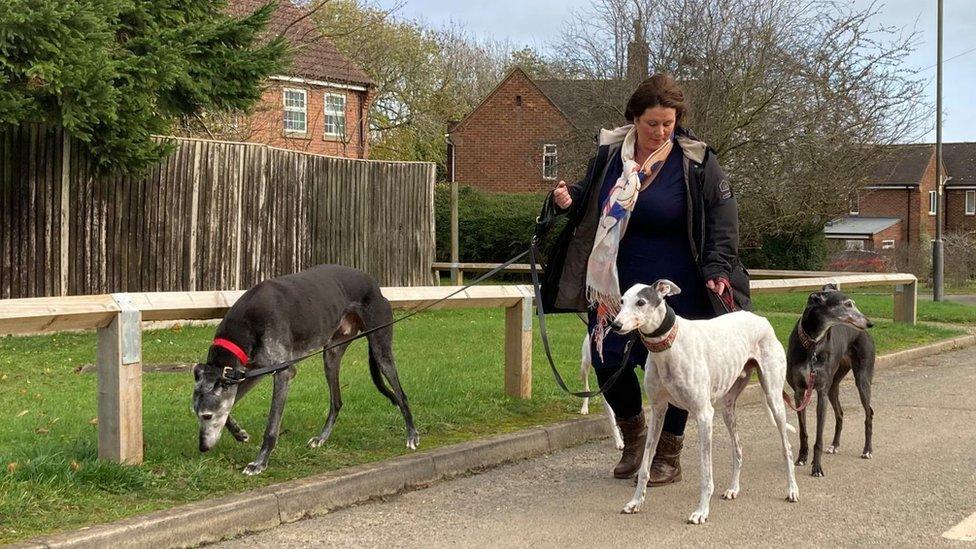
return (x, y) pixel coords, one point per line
(320, 106)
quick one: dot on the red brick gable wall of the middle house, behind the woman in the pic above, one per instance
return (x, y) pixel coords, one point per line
(499, 146)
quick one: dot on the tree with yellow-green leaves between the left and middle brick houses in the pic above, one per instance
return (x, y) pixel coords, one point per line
(425, 77)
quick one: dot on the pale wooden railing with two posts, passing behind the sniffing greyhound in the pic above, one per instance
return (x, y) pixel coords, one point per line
(118, 320)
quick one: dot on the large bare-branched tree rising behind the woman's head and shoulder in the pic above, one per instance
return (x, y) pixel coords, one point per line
(796, 97)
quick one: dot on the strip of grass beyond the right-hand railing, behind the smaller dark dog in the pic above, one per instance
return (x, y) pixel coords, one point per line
(874, 304)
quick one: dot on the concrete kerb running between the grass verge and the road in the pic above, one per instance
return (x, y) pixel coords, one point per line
(264, 508)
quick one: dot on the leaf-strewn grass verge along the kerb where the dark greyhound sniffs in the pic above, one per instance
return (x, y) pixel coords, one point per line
(450, 363)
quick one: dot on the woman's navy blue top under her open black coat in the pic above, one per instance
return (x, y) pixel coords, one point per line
(656, 245)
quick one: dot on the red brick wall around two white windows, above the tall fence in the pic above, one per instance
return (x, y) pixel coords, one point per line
(266, 123)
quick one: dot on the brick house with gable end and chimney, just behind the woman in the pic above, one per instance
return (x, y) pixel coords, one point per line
(528, 134)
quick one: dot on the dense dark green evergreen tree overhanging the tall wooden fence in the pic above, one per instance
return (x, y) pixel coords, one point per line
(114, 73)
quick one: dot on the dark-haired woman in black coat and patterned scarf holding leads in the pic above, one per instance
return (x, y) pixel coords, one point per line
(654, 204)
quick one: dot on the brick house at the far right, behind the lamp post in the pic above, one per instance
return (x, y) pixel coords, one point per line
(897, 205)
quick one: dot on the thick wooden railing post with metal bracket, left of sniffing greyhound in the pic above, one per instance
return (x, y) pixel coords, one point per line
(119, 361)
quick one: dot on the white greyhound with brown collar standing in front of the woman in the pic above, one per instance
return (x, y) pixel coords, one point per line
(692, 364)
